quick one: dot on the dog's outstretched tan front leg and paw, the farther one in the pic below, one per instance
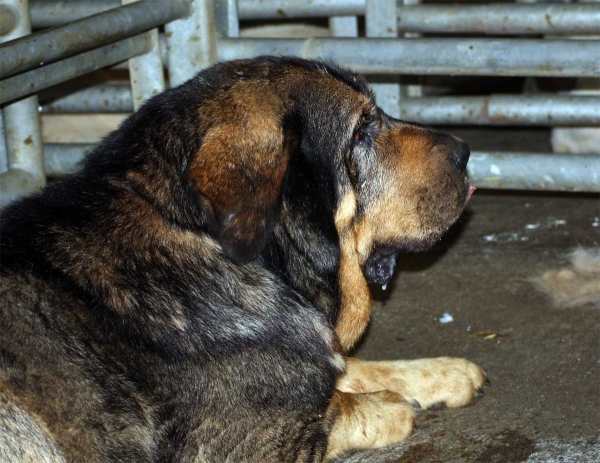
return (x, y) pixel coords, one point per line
(426, 383)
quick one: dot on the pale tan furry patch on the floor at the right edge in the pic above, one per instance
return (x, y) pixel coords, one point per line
(576, 285)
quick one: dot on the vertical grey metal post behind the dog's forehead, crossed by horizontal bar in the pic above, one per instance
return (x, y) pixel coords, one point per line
(381, 21)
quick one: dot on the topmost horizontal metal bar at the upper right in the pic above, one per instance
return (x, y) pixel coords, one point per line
(523, 19)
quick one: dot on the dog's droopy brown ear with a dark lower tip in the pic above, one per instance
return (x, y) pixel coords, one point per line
(239, 173)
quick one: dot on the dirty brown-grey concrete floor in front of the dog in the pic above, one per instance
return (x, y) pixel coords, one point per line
(544, 402)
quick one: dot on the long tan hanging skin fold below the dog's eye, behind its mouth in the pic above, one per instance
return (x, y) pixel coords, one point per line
(355, 308)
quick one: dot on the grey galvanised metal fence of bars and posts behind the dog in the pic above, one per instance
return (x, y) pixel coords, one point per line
(526, 40)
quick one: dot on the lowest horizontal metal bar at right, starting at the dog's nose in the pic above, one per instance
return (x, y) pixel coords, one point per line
(529, 171)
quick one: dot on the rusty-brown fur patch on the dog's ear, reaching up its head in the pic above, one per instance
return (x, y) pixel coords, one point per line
(241, 156)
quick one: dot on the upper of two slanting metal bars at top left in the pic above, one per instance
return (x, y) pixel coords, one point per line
(85, 34)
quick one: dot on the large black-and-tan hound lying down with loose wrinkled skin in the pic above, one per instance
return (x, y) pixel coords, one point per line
(191, 292)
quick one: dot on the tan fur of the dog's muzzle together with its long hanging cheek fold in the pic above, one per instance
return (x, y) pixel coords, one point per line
(415, 197)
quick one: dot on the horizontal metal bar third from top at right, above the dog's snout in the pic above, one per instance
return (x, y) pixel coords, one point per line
(539, 110)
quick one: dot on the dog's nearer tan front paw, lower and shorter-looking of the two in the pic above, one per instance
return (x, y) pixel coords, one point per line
(366, 421)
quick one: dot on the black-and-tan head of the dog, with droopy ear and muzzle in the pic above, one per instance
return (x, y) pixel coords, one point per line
(383, 185)
